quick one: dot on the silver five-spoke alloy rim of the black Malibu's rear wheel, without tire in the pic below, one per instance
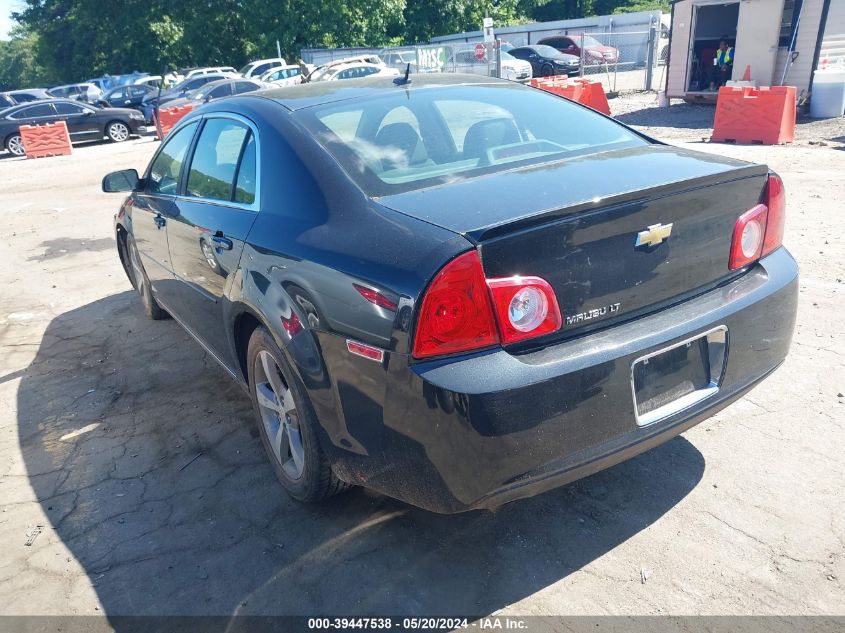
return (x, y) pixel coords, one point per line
(279, 415)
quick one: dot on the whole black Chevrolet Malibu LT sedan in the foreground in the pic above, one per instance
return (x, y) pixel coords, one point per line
(433, 289)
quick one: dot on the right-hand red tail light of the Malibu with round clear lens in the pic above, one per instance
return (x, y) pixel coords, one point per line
(759, 231)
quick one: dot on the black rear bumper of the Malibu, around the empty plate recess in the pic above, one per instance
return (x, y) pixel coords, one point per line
(483, 430)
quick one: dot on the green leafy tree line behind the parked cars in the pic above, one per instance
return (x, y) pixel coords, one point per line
(62, 41)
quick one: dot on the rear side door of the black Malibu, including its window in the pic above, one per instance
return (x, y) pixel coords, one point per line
(212, 220)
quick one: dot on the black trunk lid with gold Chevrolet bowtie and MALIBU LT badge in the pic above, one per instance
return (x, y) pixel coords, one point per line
(616, 235)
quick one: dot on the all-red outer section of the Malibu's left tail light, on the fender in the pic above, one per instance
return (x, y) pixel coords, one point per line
(456, 314)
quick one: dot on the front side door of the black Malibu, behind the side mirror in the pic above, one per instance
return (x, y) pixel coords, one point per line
(154, 207)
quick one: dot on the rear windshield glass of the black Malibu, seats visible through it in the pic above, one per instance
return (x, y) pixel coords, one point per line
(413, 139)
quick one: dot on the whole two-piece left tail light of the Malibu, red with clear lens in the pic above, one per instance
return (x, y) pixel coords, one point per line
(463, 311)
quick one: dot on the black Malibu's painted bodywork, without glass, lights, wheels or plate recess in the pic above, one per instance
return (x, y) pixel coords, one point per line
(477, 429)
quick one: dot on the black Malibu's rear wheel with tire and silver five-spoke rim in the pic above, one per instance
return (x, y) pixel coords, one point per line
(287, 423)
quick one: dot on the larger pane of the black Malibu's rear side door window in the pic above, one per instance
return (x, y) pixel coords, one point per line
(215, 163)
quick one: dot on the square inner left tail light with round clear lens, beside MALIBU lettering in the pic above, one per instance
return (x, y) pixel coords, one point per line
(526, 307)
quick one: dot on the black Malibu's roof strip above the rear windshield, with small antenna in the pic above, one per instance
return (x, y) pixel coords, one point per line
(322, 92)
